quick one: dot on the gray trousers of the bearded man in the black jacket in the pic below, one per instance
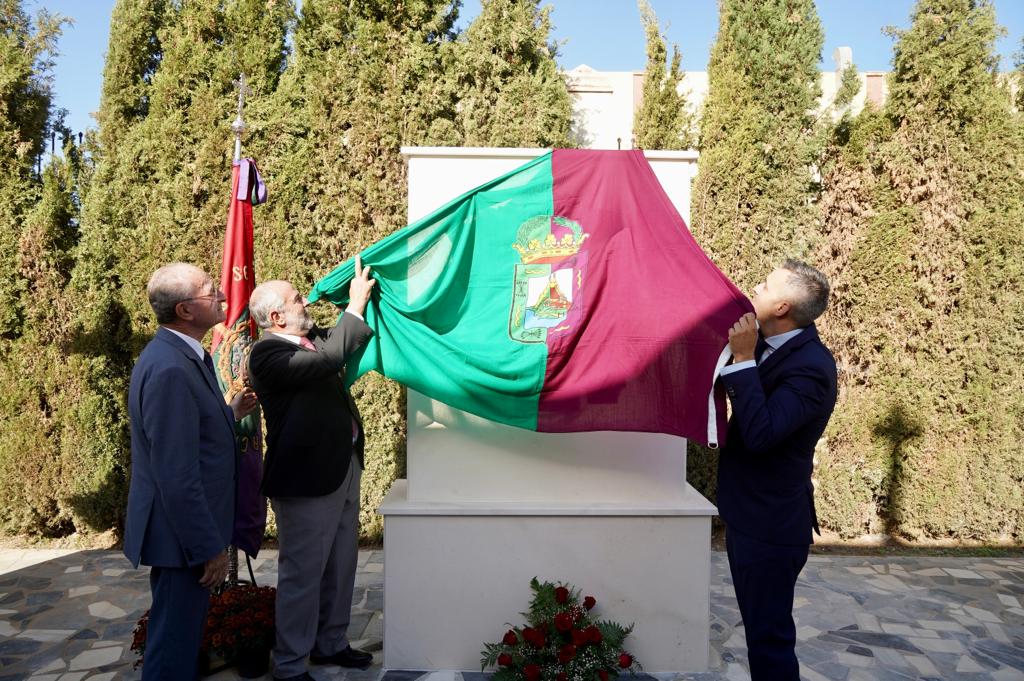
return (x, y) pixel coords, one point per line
(319, 547)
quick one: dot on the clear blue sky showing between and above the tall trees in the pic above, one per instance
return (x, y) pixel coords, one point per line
(605, 34)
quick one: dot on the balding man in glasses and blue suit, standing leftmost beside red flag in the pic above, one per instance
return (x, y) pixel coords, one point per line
(182, 498)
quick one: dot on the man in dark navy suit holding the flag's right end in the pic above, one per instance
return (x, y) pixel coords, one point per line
(782, 385)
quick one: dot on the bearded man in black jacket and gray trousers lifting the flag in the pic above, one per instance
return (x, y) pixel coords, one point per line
(313, 471)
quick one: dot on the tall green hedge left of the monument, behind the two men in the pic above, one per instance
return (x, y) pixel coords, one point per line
(327, 116)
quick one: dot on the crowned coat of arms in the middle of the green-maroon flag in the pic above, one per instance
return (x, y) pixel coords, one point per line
(547, 292)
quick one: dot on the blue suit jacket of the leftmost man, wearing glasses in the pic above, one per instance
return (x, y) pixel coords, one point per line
(184, 457)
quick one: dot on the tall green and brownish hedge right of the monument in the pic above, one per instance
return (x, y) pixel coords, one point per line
(916, 215)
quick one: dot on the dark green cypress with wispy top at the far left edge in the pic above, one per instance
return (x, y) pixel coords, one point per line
(37, 233)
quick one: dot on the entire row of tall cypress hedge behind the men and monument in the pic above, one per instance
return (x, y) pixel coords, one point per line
(915, 212)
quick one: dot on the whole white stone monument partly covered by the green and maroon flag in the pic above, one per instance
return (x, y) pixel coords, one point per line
(488, 507)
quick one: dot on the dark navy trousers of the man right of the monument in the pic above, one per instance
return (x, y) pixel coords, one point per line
(765, 577)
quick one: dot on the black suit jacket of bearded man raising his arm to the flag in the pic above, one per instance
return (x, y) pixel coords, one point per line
(308, 408)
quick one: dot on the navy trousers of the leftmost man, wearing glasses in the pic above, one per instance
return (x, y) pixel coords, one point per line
(175, 633)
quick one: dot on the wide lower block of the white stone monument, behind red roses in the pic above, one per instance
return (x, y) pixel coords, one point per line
(457, 575)
